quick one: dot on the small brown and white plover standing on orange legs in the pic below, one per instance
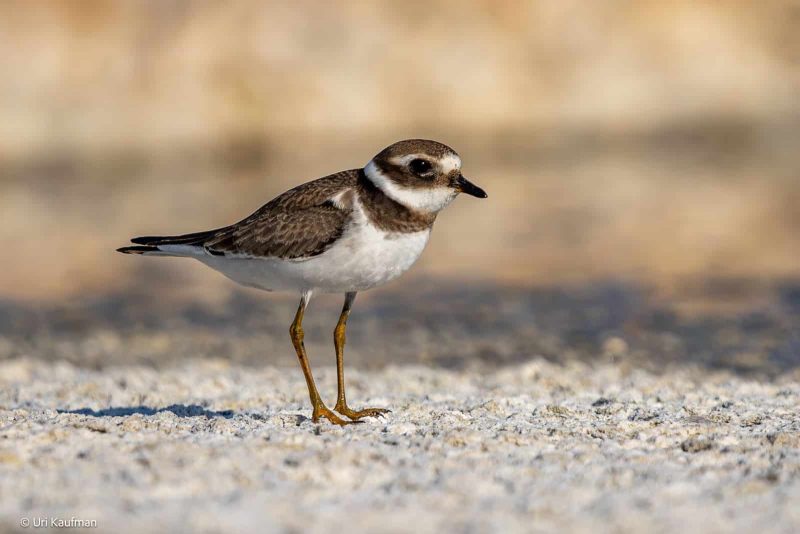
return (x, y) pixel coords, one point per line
(343, 233)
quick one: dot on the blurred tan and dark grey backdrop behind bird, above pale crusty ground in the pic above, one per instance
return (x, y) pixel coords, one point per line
(642, 161)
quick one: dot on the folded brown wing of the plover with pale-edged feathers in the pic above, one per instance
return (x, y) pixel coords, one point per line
(300, 223)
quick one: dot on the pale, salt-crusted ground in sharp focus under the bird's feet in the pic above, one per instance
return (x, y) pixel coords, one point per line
(208, 445)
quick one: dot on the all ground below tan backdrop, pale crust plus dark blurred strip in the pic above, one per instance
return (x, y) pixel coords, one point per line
(601, 408)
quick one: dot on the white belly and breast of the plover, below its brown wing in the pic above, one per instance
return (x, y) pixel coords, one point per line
(364, 257)
